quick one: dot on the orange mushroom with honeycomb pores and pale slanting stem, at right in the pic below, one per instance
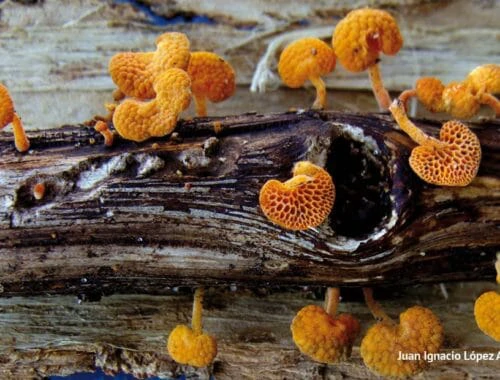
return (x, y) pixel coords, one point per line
(451, 160)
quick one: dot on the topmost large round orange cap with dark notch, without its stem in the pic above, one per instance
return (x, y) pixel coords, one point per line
(362, 34)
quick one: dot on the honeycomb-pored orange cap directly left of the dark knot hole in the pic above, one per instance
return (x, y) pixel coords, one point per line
(302, 202)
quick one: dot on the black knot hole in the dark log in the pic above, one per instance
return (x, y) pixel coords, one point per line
(362, 184)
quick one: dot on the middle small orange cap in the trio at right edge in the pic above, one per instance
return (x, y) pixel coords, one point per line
(459, 101)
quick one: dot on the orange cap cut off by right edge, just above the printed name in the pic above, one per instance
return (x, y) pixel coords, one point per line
(487, 314)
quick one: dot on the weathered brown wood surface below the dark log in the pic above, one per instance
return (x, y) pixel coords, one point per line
(58, 335)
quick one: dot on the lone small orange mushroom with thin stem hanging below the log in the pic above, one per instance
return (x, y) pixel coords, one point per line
(190, 345)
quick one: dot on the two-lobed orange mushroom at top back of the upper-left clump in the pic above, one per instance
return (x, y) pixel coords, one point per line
(135, 73)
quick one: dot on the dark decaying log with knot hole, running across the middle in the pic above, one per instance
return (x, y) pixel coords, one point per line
(135, 217)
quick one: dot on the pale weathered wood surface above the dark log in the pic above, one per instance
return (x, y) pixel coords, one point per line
(55, 54)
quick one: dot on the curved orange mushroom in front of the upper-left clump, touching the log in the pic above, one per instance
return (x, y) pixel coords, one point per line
(137, 120)
